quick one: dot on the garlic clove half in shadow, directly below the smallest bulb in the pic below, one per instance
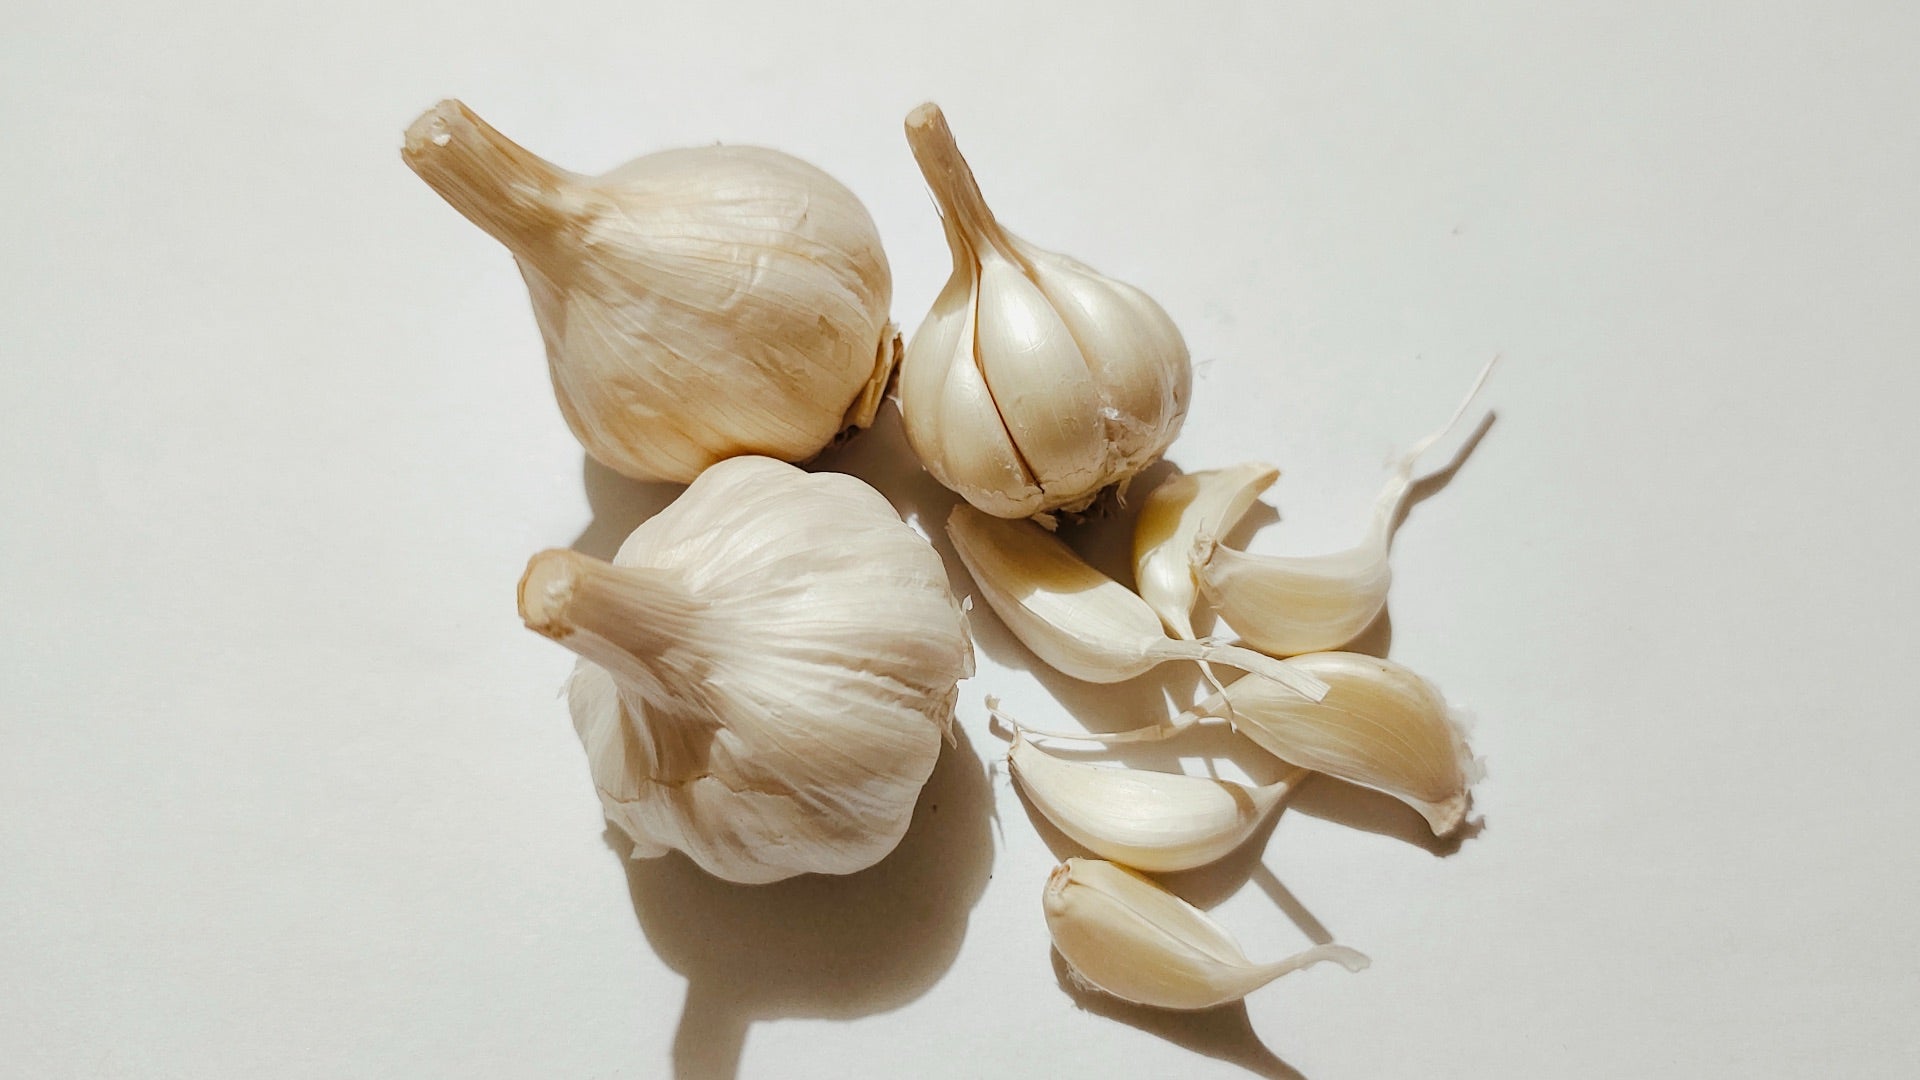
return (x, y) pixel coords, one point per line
(1072, 616)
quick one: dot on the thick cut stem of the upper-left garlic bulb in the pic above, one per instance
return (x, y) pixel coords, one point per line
(494, 182)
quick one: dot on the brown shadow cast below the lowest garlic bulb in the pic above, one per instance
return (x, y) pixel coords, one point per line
(819, 946)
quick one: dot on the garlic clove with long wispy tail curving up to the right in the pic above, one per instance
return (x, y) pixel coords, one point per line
(1299, 604)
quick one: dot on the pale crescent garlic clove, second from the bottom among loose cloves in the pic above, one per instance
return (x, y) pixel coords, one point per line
(1149, 822)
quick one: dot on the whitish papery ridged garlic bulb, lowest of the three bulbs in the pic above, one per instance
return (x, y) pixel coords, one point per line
(767, 672)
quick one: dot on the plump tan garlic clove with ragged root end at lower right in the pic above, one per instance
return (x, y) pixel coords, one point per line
(1381, 727)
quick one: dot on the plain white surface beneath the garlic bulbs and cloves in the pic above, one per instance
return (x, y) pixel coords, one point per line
(285, 789)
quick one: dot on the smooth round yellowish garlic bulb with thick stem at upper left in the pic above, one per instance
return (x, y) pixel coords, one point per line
(696, 305)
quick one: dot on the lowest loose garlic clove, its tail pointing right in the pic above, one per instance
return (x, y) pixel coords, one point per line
(1140, 943)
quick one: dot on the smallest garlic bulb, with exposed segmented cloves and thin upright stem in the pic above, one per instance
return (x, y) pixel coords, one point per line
(1034, 383)
